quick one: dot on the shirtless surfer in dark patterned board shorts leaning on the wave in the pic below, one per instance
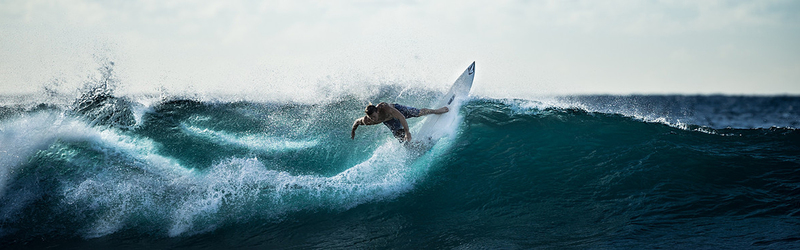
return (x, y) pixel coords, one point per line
(393, 116)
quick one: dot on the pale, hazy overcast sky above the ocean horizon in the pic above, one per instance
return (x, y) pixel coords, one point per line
(307, 48)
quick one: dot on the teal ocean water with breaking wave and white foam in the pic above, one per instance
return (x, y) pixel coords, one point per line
(98, 170)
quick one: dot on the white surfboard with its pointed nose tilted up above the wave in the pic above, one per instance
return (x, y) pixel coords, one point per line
(435, 127)
